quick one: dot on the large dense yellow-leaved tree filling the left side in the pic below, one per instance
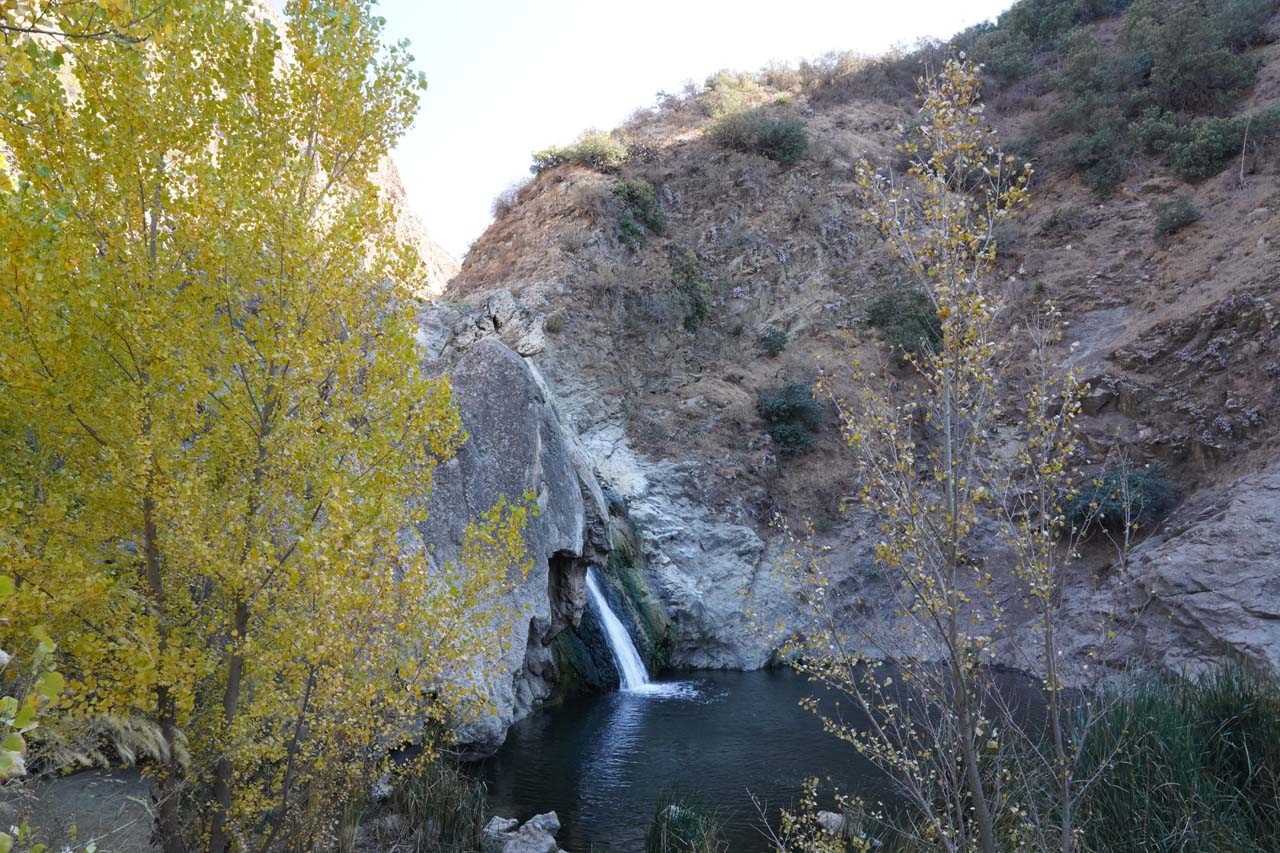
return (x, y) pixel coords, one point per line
(218, 443)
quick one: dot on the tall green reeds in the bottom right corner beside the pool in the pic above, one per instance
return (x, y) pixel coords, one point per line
(1186, 765)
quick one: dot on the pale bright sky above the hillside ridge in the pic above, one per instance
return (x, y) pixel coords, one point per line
(510, 77)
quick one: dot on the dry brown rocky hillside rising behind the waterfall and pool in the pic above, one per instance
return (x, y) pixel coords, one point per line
(660, 321)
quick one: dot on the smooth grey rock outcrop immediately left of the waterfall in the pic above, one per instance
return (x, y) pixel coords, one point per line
(518, 446)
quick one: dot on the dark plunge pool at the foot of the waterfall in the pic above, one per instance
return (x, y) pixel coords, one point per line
(602, 764)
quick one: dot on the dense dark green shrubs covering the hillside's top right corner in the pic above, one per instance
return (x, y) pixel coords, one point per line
(1174, 60)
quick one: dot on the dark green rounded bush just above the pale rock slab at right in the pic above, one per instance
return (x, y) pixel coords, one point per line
(1145, 495)
